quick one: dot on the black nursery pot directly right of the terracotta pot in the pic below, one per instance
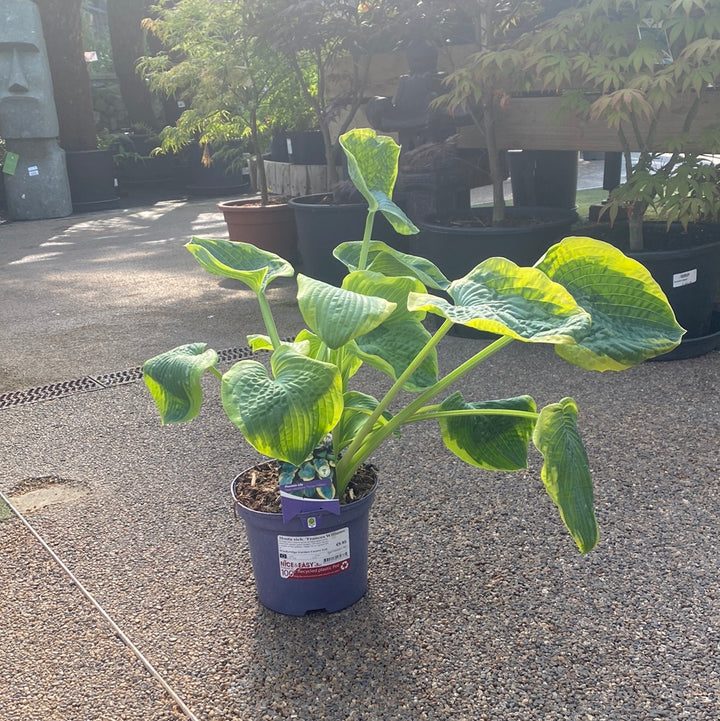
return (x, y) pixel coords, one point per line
(322, 225)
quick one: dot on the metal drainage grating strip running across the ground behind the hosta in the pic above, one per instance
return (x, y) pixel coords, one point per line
(12, 399)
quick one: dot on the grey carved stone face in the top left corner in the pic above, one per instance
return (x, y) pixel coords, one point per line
(27, 106)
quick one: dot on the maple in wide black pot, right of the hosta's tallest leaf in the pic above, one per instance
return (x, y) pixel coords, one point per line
(479, 90)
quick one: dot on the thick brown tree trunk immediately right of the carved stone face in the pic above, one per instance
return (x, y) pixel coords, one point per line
(62, 28)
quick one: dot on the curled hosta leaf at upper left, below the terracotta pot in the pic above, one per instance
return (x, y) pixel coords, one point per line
(242, 261)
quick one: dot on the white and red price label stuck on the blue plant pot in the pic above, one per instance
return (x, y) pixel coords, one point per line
(307, 557)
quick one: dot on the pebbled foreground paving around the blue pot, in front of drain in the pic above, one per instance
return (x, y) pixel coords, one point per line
(479, 606)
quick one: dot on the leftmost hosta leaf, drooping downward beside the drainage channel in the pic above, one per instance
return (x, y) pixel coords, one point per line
(173, 379)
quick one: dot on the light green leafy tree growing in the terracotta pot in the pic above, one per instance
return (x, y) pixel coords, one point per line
(234, 80)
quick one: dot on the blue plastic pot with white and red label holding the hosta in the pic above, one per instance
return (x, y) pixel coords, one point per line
(309, 564)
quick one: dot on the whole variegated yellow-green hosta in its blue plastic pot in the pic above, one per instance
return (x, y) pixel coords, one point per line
(308, 532)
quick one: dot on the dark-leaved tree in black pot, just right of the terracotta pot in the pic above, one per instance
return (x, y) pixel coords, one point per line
(330, 47)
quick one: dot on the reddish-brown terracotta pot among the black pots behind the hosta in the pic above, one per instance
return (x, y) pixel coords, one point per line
(270, 227)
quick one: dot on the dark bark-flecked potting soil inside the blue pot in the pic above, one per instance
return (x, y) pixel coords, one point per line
(259, 487)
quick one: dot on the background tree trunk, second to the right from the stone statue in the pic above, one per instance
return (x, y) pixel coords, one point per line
(128, 44)
